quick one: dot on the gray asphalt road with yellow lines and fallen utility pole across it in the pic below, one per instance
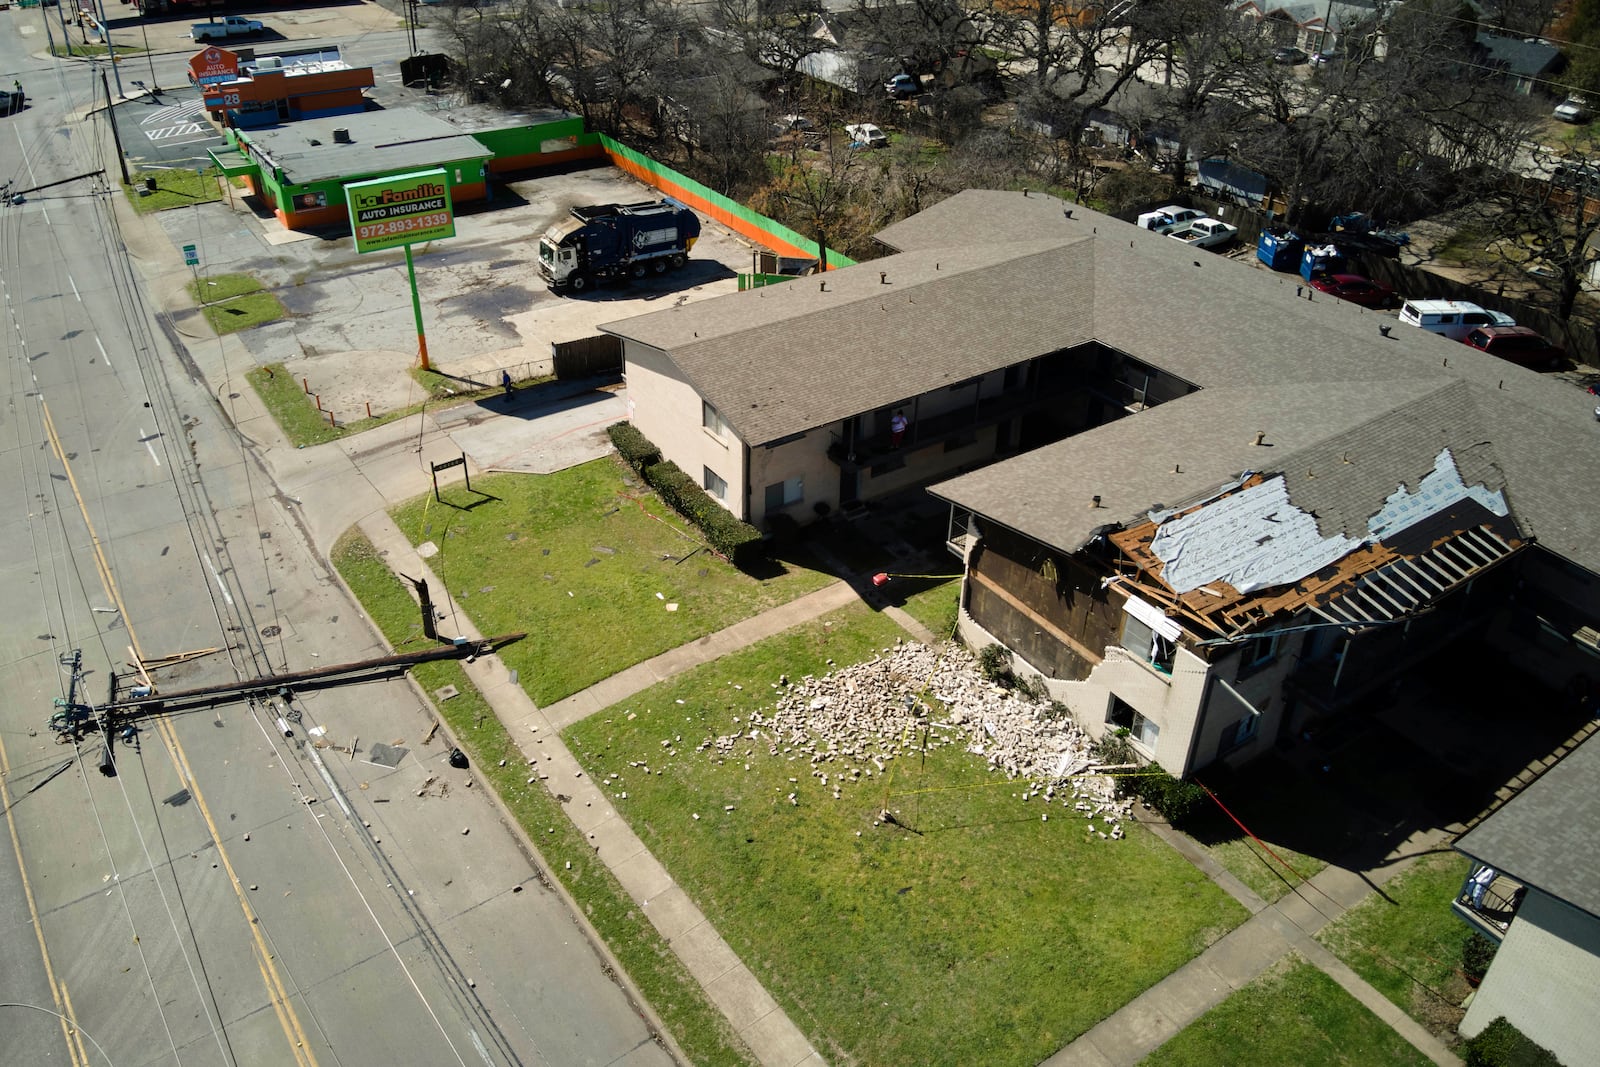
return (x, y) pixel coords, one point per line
(257, 884)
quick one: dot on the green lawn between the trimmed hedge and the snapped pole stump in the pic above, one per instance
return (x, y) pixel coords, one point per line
(591, 565)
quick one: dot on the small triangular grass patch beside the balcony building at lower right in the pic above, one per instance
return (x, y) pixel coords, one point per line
(1410, 949)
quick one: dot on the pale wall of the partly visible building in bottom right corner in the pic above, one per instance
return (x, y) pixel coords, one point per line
(1546, 980)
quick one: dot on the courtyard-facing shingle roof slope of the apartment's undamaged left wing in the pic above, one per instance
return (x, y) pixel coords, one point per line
(791, 358)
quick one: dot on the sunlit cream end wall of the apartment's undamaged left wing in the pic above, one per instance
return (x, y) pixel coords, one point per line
(666, 409)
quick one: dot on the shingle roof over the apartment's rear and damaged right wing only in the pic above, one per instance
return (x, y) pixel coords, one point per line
(1314, 374)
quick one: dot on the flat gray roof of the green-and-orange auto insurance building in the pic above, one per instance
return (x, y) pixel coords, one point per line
(382, 142)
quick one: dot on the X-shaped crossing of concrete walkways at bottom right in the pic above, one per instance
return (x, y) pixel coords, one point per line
(1271, 933)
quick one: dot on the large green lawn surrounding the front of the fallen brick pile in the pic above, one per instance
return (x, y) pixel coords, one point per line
(986, 937)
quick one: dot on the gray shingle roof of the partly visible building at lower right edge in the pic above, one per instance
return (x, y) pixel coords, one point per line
(1545, 837)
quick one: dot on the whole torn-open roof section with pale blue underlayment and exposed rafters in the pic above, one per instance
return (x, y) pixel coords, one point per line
(1255, 553)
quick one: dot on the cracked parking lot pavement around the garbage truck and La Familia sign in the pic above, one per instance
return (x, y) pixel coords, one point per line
(351, 332)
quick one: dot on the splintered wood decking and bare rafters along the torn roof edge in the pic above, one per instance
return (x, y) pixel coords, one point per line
(1377, 583)
